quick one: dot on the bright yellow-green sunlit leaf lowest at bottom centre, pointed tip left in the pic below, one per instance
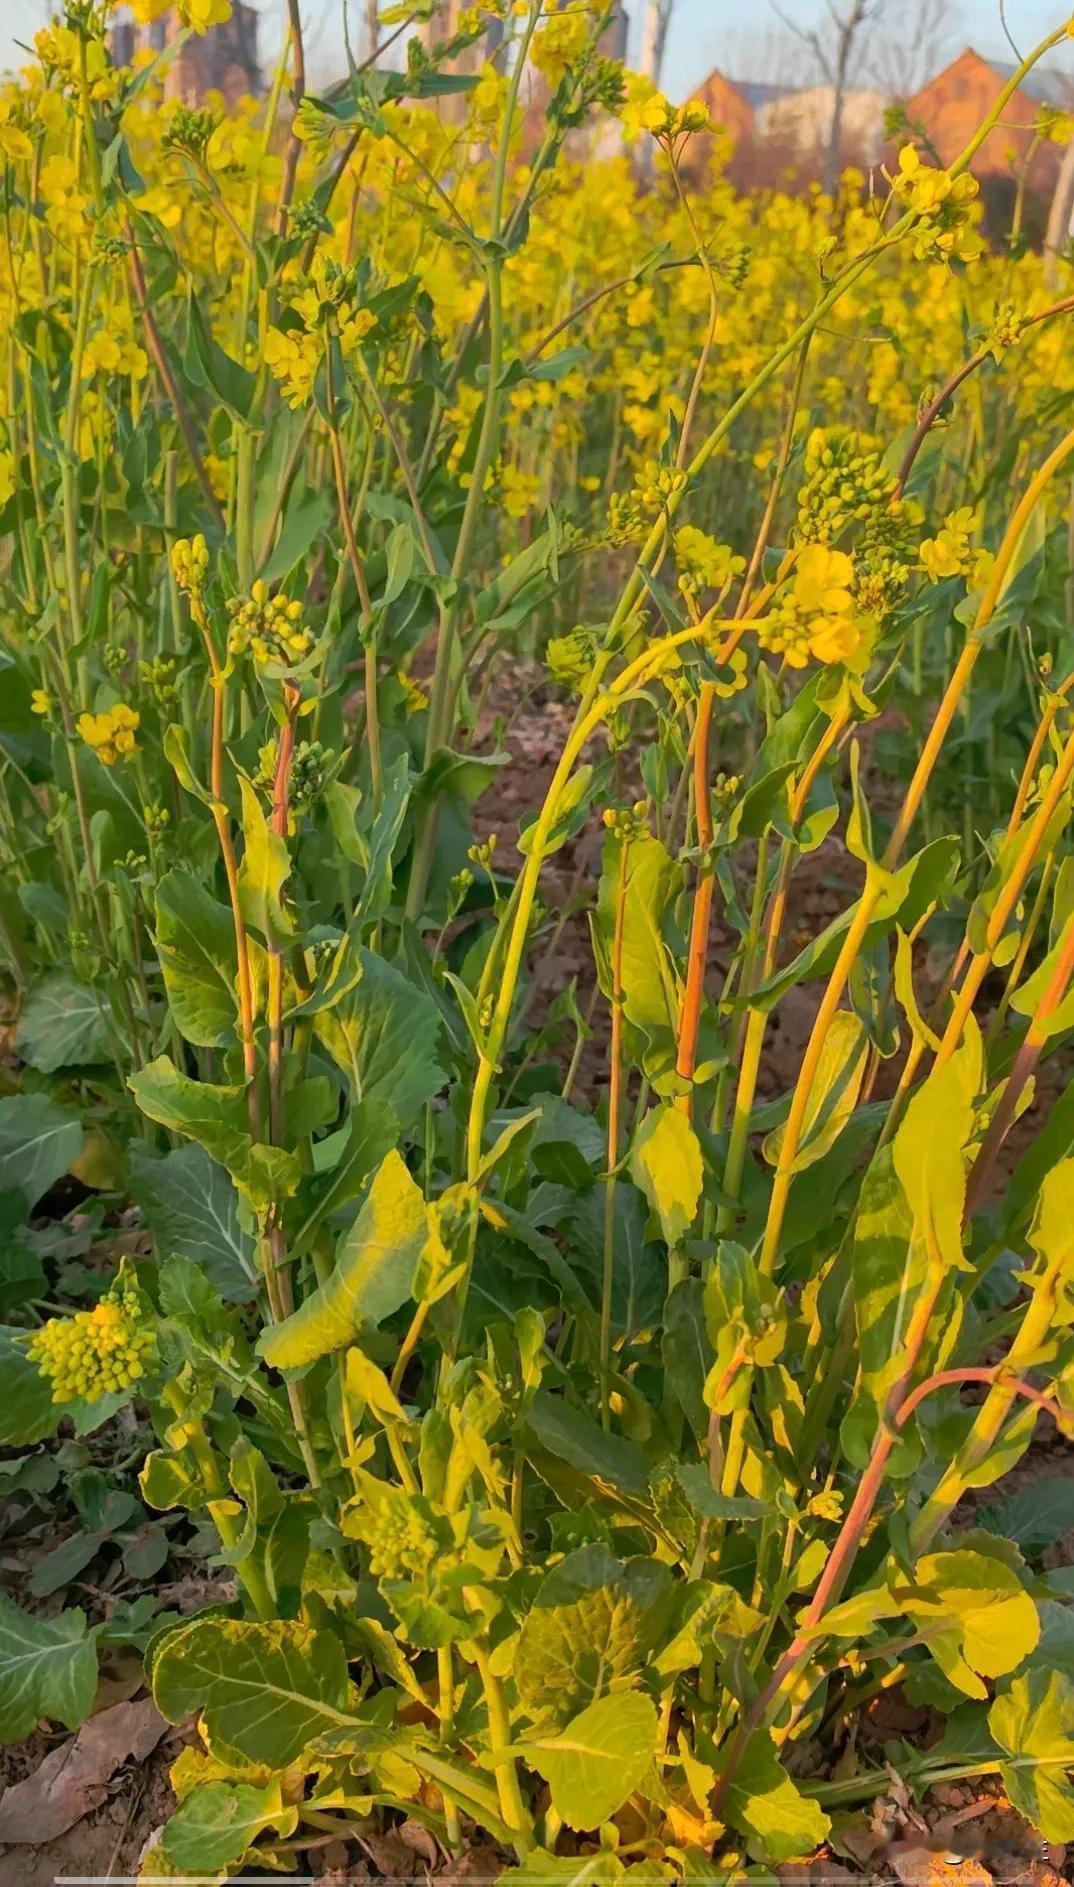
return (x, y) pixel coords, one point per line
(597, 1762)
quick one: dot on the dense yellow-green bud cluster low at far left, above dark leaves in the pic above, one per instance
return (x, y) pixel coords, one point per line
(99, 1350)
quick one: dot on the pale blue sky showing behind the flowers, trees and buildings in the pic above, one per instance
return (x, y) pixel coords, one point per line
(745, 41)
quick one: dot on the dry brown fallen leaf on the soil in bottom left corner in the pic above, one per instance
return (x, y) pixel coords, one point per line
(75, 1778)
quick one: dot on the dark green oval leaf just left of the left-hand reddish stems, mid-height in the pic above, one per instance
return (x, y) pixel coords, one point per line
(197, 952)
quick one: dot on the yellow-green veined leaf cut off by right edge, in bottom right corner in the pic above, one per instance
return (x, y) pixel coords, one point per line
(1035, 1726)
